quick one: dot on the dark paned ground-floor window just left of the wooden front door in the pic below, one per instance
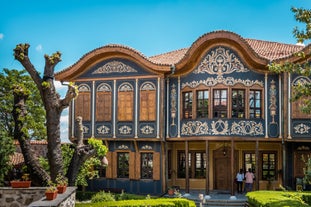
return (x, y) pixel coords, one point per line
(198, 170)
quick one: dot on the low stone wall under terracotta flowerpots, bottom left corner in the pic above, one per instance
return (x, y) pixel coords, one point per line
(35, 197)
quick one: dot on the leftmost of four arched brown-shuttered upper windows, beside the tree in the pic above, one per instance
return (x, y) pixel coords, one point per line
(83, 103)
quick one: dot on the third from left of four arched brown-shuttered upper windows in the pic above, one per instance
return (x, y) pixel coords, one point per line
(125, 102)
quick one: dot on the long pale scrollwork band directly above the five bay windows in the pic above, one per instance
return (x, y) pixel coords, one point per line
(229, 81)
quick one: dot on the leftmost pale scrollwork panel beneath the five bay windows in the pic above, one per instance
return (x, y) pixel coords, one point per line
(194, 128)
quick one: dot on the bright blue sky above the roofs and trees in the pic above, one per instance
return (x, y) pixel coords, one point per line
(75, 27)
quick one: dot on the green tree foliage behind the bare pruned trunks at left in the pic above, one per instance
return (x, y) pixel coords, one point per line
(36, 114)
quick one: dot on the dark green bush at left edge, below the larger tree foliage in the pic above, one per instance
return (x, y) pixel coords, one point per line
(6, 150)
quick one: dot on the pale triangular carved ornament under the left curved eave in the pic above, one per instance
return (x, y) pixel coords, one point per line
(114, 67)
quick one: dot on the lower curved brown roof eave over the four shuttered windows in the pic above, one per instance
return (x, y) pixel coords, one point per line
(105, 52)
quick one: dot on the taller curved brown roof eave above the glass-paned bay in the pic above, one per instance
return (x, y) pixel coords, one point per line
(226, 38)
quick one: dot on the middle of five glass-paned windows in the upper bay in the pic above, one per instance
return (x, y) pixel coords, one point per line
(220, 103)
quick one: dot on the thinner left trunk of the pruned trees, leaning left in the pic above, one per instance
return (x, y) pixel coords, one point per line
(37, 174)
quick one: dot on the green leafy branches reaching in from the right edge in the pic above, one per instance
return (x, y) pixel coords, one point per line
(301, 66)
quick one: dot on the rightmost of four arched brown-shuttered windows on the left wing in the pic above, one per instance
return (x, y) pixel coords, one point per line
(148, 102)
